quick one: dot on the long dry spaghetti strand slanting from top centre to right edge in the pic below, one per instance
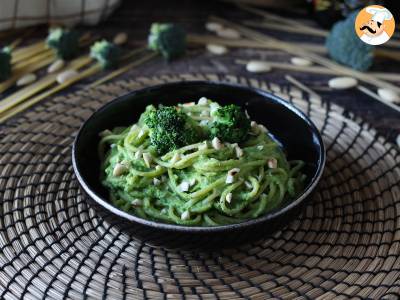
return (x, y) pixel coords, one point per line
(299, 51)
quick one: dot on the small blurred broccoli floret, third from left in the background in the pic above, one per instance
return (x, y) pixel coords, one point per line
(106, 53)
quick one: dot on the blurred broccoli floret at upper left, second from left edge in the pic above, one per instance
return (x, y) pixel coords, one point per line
(64, 41)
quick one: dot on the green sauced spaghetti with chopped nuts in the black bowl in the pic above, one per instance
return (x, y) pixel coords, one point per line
(203, 184)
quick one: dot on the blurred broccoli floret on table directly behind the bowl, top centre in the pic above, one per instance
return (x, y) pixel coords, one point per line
(168, 39)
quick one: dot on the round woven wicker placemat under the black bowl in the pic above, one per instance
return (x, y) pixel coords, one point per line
(52, 245)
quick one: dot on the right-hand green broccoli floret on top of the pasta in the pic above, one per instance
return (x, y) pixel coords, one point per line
(230, 124)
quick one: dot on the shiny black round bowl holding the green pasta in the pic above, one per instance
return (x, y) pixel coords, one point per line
(297, 134)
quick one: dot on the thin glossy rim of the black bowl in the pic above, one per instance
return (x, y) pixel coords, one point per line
(198, 229)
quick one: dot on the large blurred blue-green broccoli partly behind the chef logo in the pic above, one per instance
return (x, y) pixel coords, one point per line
(346, 48)
